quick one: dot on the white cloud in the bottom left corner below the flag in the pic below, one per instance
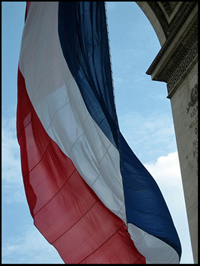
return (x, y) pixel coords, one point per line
(31, 248)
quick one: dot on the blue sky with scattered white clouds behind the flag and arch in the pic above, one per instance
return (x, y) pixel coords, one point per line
(145, 120)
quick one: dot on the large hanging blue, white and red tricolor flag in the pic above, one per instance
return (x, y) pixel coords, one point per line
(88, 194)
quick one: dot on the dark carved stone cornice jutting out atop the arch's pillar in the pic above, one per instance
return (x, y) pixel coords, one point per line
(179, 52)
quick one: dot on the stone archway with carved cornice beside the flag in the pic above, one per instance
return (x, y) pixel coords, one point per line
(176, 26)
